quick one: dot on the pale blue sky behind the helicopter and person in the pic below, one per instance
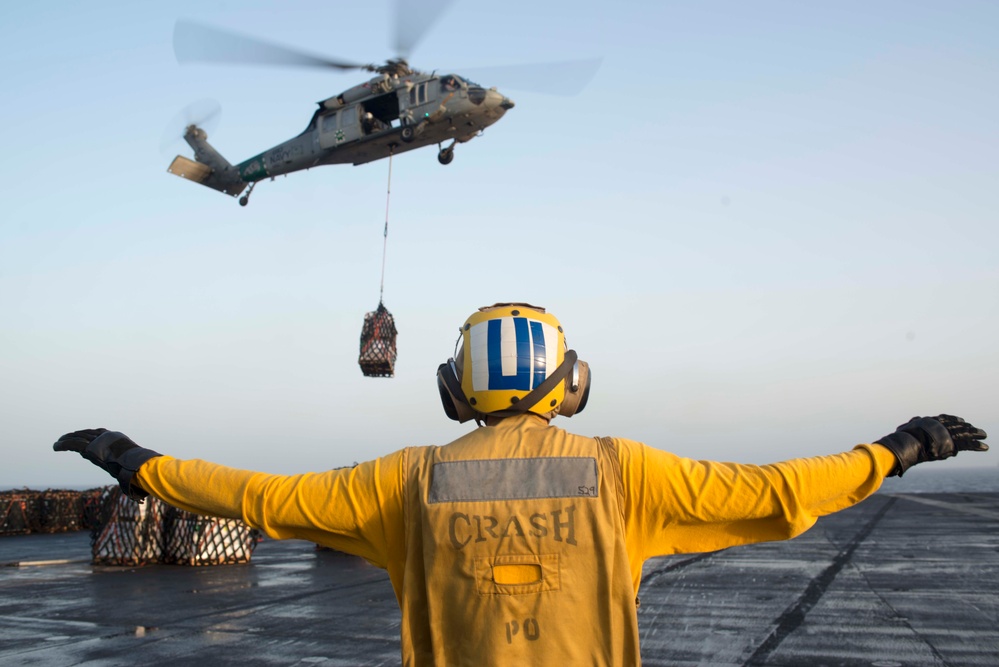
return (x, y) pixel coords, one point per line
(770, 227)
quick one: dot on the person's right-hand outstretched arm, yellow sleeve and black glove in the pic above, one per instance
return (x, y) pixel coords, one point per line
(677, 505)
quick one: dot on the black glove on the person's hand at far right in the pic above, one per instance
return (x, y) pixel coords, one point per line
(932, 439)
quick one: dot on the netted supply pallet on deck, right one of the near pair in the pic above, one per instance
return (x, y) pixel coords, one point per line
(192, 539)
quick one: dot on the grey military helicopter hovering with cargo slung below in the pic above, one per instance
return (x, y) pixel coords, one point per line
(399, 109)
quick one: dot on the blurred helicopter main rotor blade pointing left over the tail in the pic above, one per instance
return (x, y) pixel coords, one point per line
(196, 42)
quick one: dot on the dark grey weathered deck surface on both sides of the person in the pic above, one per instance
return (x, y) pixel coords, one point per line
(897, 580)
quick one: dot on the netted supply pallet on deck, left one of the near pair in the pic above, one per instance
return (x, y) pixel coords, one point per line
(127, 532)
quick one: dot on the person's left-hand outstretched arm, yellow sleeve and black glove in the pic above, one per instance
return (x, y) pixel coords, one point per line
(356, 510)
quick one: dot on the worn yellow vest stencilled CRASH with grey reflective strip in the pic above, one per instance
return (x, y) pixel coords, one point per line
(515, 550)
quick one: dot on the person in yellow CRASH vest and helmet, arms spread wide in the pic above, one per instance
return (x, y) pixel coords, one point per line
(520, 543)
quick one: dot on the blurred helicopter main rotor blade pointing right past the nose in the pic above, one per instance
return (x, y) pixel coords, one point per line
(564, 78)
